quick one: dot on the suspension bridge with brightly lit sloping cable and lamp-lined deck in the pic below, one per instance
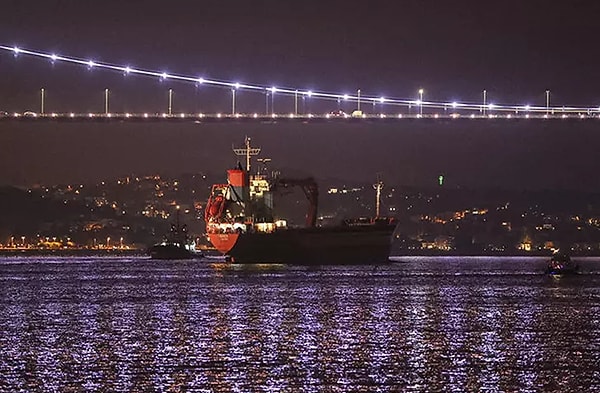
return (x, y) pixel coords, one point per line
(293, 107)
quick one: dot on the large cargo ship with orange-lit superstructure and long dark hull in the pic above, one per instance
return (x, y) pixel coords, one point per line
(242, 223)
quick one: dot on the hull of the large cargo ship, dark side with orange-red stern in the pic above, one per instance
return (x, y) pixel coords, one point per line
(309, 246)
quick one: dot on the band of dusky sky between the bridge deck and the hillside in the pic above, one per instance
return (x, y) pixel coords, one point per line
(480, 154)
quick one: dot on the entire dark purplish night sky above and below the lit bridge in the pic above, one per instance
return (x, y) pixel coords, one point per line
(516, 50)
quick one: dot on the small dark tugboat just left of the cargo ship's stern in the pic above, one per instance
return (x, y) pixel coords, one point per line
(177, 245)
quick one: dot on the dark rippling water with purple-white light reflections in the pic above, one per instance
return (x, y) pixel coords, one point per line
(426, 325)
